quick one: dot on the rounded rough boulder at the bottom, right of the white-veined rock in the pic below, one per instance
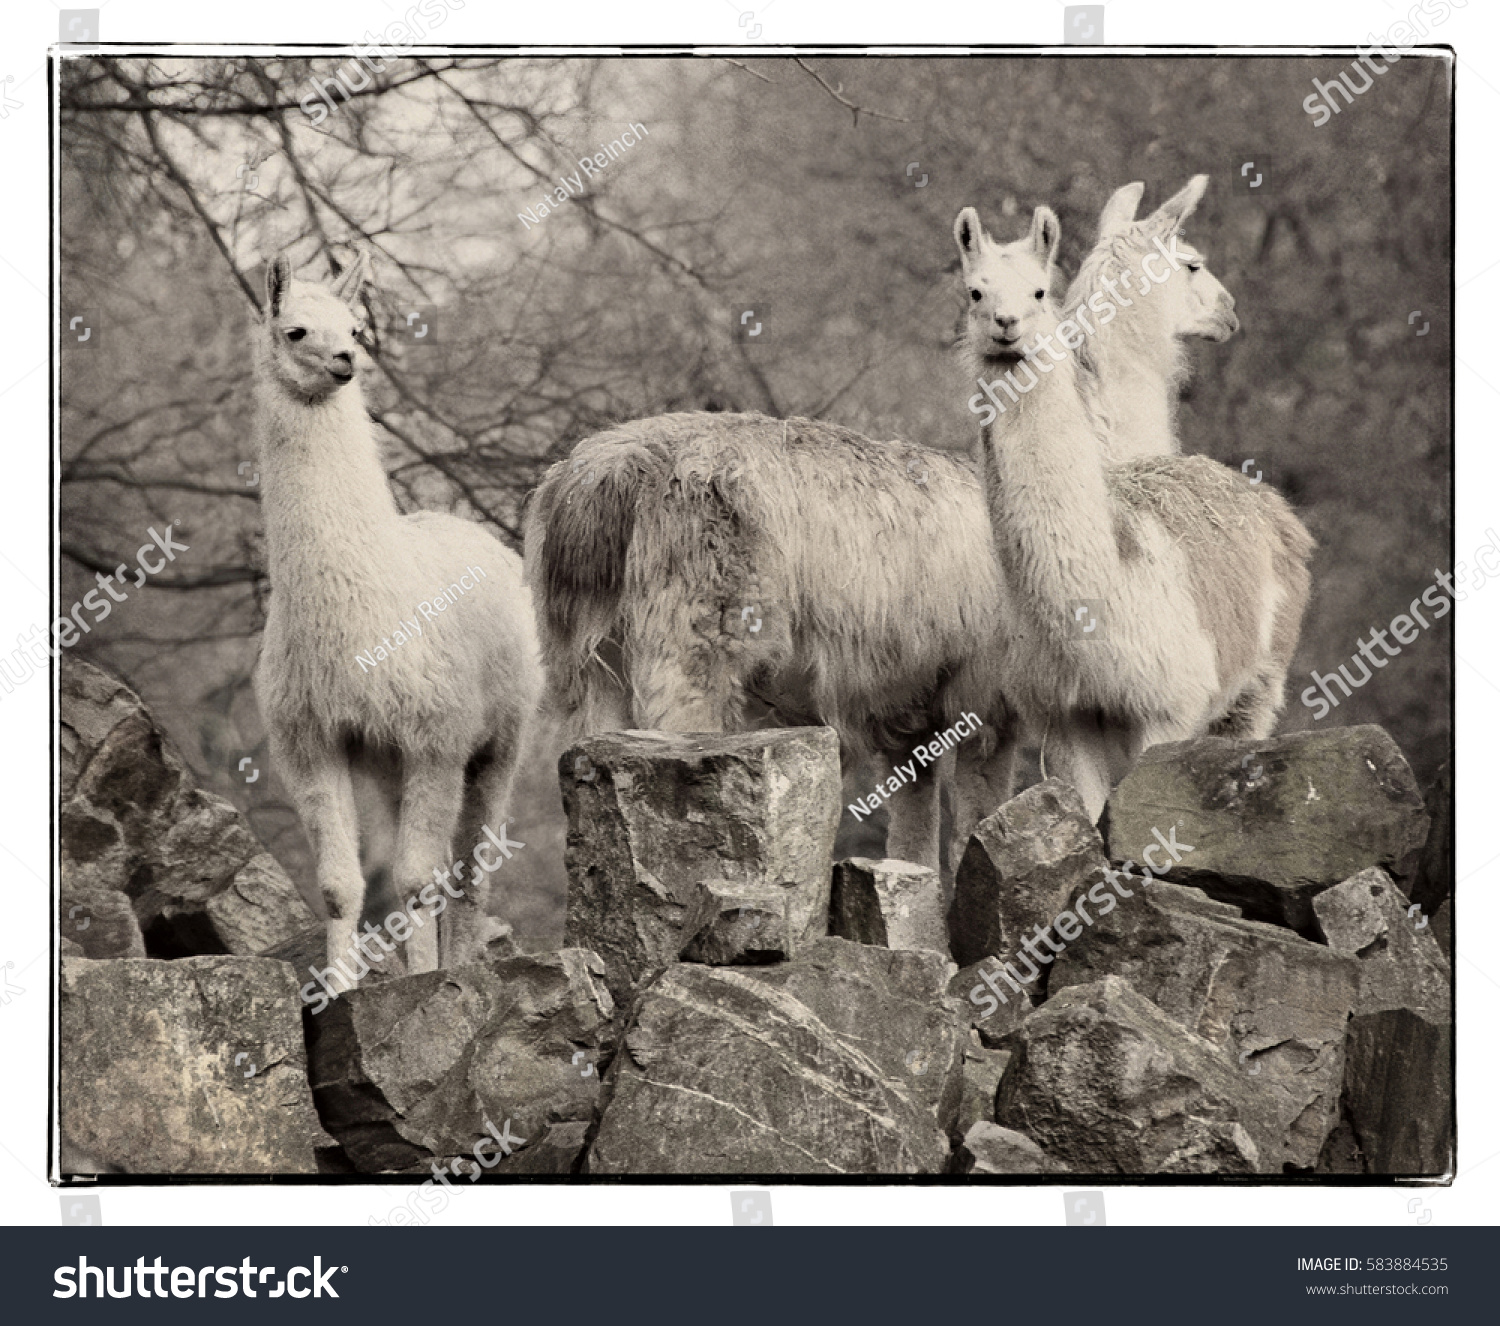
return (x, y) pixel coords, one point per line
(1106, 1084)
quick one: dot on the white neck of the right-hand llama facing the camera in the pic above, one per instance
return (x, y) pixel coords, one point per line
(1051, 512)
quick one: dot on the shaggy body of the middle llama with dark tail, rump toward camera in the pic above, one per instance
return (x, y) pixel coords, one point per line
(866, 565)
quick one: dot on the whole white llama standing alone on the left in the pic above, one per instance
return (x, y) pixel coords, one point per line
(421, 748)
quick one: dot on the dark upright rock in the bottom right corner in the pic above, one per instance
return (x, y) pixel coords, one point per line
(1400, 1093)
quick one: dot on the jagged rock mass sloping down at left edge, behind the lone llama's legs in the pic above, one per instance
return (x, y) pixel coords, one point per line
(134, 826)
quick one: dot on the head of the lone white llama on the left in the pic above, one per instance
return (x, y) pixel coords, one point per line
(310, 332)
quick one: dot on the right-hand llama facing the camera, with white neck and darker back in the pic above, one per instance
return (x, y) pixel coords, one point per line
(1202, 577)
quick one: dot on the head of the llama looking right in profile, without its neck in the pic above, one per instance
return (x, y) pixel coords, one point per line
(1184, 293)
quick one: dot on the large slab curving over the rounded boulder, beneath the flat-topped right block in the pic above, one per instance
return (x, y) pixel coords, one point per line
(1276, 1006)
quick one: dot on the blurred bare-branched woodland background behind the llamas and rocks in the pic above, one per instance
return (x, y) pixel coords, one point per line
(820, 193)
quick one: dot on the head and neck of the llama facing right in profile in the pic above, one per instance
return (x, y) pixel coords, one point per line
(1133, 367)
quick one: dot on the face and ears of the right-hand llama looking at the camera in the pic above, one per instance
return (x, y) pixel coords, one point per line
(1009, 286)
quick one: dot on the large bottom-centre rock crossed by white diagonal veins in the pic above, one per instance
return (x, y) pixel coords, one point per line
(728, 1070)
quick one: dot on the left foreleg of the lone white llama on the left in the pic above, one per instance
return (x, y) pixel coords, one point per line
(323, 794)
